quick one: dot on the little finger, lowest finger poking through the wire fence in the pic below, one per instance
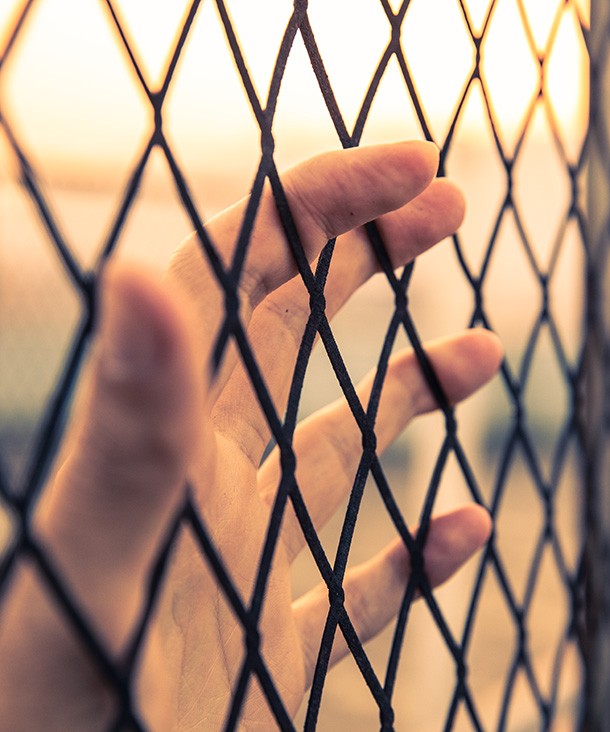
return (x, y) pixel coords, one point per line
(375, 590)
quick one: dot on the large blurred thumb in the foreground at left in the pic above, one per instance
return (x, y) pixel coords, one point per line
(128, 451)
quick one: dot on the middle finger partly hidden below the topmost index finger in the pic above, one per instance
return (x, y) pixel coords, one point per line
(279, 321)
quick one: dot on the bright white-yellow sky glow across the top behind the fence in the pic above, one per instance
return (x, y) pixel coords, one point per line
(70, 91)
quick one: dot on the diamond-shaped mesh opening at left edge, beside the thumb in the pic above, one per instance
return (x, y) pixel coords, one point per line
(36, 333)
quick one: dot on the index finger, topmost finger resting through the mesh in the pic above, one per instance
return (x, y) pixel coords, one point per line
(328, 195)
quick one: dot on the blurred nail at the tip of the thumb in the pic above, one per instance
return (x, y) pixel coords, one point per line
(131, 344)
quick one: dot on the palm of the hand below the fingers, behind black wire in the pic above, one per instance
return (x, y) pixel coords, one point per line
(201, 626)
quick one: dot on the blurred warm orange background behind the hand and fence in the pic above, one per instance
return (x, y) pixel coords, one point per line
(502, 87)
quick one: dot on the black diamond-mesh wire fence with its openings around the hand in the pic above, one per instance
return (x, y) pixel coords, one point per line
(502, 647)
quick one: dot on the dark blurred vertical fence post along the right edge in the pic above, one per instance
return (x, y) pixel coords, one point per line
(596, 417)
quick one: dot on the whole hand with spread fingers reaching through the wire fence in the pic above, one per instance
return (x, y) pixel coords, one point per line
(151, 418)
